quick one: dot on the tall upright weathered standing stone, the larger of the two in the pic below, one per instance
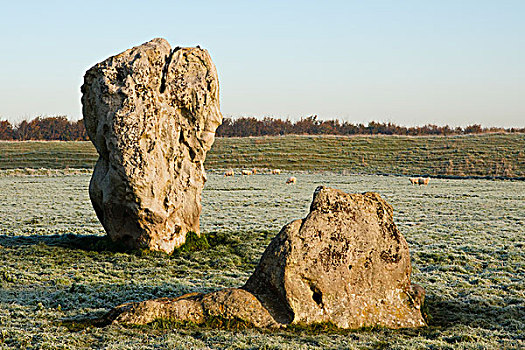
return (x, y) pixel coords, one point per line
(151, 113)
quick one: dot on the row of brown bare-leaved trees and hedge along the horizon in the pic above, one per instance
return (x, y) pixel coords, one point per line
(60, 128)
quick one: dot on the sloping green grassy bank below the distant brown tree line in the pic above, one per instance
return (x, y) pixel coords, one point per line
(487, 155)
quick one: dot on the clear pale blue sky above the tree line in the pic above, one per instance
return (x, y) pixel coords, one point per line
(409, 62)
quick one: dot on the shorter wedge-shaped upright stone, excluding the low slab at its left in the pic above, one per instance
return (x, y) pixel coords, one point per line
(345, 263)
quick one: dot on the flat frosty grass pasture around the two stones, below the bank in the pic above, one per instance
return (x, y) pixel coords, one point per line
(466, 239)
